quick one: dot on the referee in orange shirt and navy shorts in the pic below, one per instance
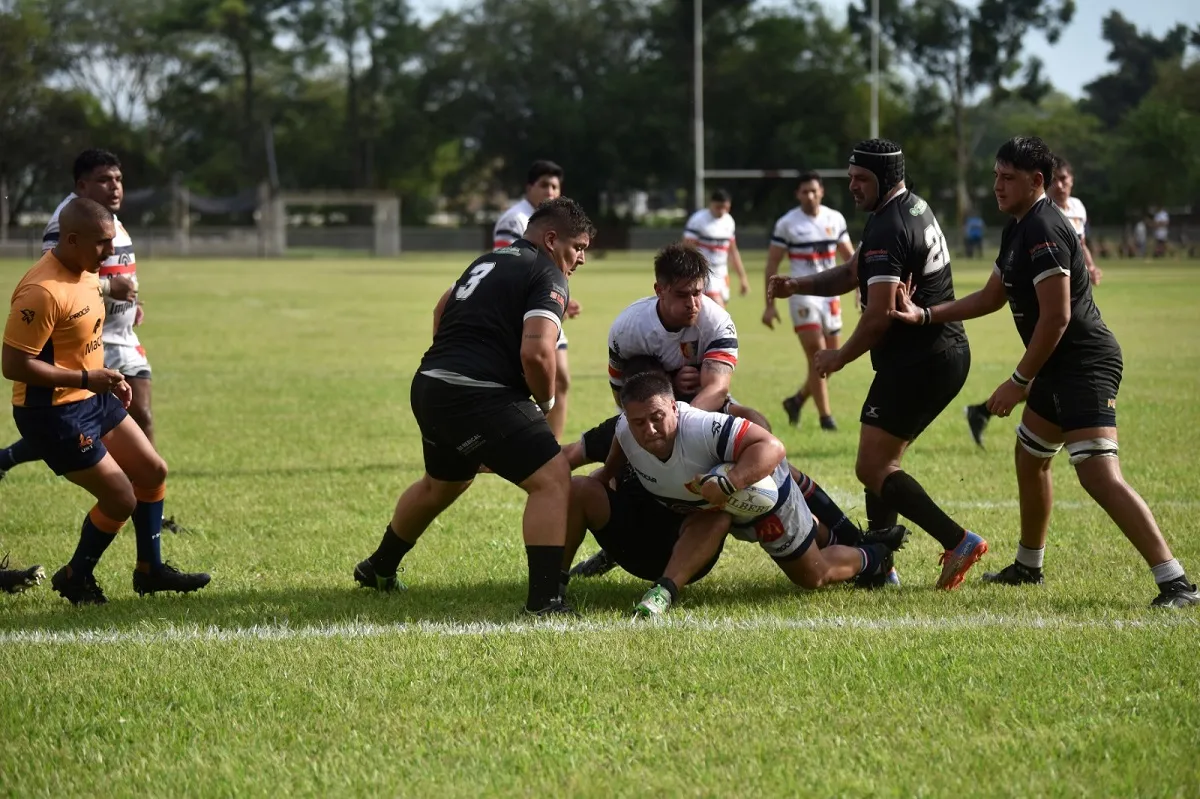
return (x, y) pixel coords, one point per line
(71, 410)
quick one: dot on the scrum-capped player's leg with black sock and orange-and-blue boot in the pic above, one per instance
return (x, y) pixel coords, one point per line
(879, 470)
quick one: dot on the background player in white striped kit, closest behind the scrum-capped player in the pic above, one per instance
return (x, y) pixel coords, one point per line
(813, 237)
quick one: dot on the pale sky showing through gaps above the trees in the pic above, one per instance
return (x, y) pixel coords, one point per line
(1076, 61)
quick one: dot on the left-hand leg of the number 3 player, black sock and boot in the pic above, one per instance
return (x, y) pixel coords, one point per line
(416, 510)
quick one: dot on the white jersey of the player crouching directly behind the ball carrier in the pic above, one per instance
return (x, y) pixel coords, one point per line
(639, 332)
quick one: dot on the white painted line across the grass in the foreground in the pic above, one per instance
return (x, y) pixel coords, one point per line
(682, 623)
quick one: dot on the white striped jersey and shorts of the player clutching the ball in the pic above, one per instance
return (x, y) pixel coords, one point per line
(704, 441)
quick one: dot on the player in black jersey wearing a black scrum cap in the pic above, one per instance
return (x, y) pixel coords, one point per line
(919, 373)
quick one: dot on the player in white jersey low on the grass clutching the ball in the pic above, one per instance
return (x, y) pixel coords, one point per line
(673, 449)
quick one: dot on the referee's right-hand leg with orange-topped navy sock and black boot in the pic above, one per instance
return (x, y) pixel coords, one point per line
(147, 473)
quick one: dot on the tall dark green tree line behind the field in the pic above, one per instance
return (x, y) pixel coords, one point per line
(364, 94)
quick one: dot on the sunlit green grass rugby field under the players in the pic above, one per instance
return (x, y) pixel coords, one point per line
(281, 393)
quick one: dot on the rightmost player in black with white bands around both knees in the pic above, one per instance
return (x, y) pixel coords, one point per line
(1069, 377)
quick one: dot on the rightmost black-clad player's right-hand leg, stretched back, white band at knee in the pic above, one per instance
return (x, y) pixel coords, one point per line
(1094, 453)
